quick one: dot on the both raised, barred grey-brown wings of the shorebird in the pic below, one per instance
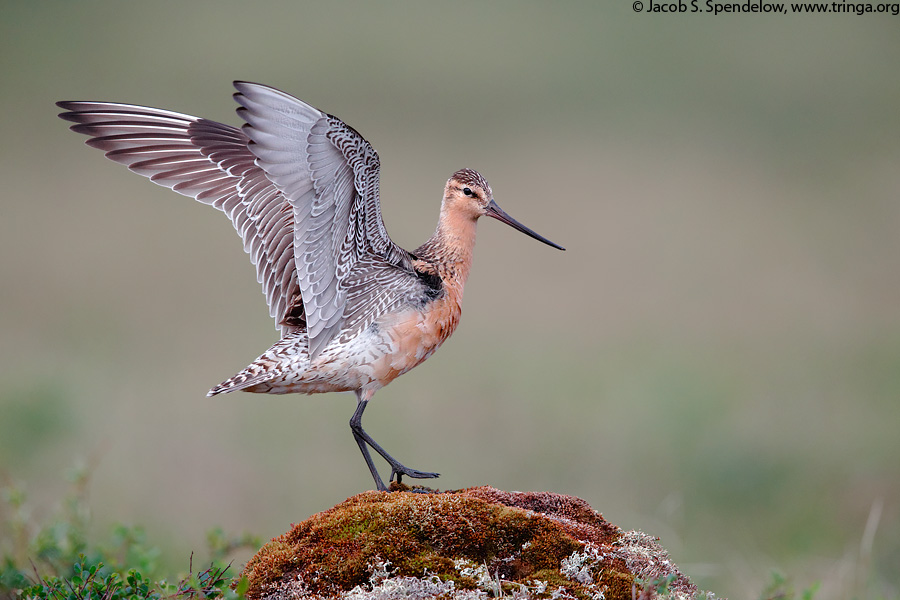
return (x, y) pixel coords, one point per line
(300, 187)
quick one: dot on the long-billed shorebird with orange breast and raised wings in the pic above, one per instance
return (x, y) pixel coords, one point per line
(301, 187)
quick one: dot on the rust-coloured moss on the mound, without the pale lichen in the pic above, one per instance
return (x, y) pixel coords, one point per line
(519, 537)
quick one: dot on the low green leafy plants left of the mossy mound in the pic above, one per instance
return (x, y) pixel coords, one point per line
(56, 560)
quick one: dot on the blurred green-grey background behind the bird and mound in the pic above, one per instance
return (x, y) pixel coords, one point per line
(715, 360)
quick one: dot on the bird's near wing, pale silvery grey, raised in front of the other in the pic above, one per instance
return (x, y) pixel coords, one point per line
(348, 269)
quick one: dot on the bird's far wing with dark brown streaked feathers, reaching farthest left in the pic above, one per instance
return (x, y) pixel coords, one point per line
(210, 162)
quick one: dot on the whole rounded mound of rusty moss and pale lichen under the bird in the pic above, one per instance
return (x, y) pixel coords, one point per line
(472, 543)
